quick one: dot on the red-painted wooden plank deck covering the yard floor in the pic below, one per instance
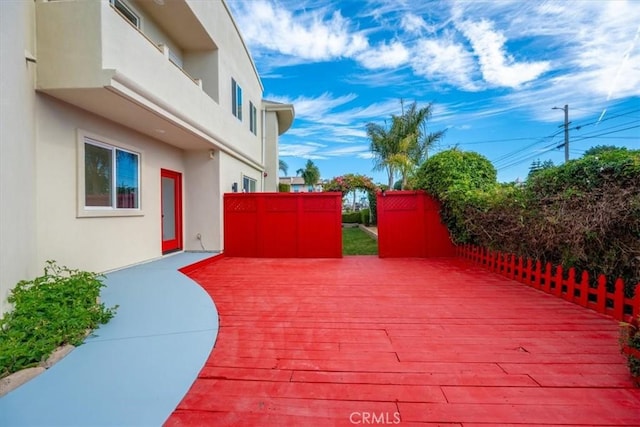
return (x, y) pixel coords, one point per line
(363, 340)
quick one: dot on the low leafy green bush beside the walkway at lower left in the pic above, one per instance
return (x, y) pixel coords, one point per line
(55, 309)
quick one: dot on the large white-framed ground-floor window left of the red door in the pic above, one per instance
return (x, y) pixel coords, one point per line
(111, 177)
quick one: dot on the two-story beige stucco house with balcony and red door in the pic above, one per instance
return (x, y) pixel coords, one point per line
(122, 124)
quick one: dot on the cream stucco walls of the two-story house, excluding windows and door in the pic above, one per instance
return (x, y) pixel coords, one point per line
(39, 139)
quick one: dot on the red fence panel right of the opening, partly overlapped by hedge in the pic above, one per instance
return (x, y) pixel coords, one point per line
(409, 226)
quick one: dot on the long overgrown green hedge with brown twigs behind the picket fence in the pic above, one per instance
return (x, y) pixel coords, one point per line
(583, 214)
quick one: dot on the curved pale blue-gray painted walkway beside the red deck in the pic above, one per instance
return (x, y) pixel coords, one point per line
(136, 368)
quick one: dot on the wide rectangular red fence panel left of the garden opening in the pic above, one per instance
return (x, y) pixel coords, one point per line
(283, 225)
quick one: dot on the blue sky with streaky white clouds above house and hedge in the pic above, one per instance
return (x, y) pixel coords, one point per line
(493, 71)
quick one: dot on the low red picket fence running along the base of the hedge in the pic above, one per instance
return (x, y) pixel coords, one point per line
(552, 280)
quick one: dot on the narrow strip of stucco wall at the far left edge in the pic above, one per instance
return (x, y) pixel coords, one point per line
(17, 147)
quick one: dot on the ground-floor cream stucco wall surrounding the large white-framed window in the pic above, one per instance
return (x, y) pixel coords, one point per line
(103, 243)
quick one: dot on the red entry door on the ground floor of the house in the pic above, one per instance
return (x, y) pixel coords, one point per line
(171, 200)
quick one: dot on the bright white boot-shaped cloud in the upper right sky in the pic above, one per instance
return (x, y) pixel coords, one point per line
(497, 66)
